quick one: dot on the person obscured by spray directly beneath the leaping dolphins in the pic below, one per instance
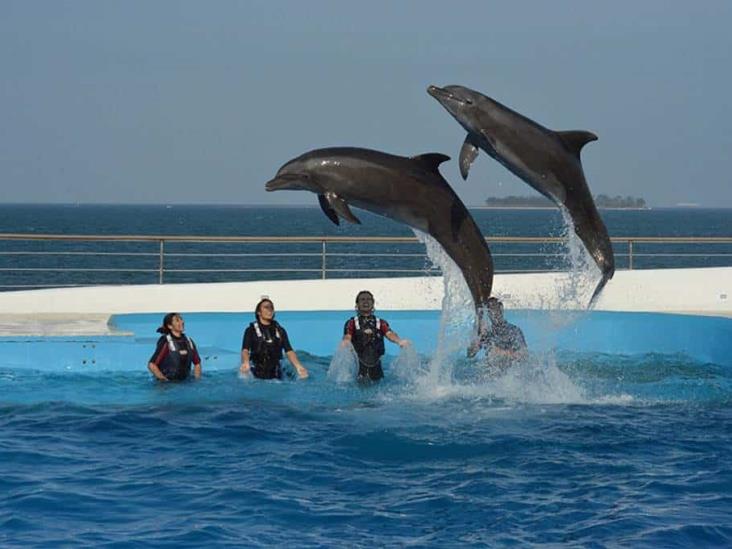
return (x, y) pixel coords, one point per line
(504, 342)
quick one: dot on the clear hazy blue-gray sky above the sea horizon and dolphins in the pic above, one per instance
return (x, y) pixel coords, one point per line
(201, 102)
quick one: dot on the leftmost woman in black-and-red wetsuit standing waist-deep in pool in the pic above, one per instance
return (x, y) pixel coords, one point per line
(175, 352)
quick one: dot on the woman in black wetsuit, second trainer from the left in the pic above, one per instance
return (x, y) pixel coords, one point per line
(263, 343)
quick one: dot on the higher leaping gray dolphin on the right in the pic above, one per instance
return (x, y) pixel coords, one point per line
(549, 161)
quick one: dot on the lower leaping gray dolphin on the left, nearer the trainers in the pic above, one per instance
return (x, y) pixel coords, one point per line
(409, 190)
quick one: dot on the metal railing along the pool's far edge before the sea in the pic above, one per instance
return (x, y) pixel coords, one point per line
(52, 260)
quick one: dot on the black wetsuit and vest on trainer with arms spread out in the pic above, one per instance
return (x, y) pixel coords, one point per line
(367, 337)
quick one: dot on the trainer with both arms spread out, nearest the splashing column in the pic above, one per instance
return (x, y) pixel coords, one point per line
(366, 333)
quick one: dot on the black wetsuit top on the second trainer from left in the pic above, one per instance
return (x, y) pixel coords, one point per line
(265, 352)
